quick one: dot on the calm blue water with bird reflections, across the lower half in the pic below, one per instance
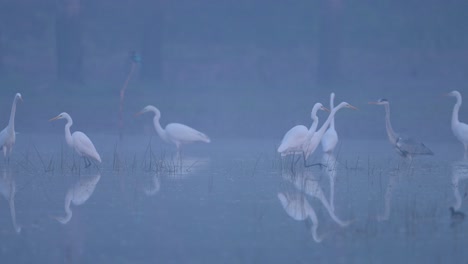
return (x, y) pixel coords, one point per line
(221, 205)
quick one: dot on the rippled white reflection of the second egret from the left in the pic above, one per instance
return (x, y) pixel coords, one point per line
(78, 194)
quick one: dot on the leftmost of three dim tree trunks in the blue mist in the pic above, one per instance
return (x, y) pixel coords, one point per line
(69, 45)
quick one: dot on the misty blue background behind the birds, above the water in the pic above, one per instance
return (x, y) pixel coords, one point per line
(237, 69)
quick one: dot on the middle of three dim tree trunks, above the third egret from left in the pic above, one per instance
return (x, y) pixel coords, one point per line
(152, 46)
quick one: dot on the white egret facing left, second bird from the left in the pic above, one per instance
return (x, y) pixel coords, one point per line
(79, 141)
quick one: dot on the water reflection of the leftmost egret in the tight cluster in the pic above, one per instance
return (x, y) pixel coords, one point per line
(299, 209)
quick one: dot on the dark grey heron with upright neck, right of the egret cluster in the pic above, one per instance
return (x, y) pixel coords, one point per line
(405, 146)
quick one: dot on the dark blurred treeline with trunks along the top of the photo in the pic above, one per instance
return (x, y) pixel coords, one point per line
(71, 27)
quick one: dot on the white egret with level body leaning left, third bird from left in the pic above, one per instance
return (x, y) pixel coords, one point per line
(175, 133)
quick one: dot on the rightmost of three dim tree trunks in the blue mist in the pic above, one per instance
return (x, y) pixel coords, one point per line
(330, 36)
